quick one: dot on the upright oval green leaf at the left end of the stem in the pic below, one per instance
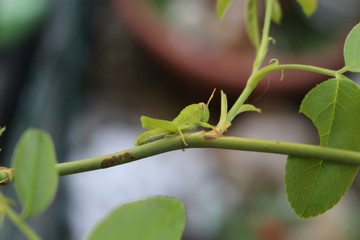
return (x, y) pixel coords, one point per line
(35, 172)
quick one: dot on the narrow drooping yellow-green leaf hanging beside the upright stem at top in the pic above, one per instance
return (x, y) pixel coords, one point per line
(252, 24)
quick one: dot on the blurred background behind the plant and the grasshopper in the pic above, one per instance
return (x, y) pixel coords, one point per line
(85, 71)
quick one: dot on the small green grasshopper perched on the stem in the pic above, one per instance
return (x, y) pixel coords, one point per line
(189, 118)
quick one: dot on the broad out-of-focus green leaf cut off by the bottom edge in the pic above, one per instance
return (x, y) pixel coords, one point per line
(157, 218)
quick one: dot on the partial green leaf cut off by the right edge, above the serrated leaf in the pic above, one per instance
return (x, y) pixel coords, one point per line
(352, 50)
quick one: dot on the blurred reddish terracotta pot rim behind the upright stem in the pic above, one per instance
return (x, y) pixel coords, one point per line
(223, 69)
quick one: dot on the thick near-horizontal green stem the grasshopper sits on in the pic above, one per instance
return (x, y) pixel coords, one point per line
(198, 140)
